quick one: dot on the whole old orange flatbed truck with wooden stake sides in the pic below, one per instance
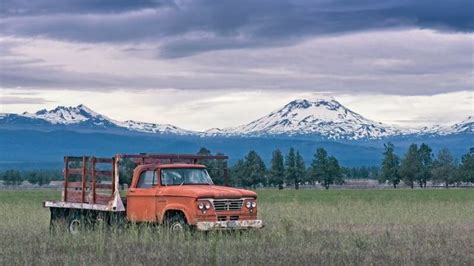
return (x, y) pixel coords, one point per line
(169, 189)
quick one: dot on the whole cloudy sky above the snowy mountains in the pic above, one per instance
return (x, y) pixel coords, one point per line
(202, 64)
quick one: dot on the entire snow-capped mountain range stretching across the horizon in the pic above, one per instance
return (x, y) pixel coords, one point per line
(322, 118)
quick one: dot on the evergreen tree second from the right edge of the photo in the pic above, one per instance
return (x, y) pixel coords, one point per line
(444, 168)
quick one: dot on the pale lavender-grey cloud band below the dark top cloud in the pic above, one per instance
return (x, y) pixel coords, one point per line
(414, 62)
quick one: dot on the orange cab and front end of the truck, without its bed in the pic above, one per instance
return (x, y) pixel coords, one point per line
(184, 195)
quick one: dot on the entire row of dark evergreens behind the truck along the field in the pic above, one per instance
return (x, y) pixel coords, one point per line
(418, 166)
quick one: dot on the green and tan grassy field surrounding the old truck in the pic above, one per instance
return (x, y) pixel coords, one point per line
(302, 227)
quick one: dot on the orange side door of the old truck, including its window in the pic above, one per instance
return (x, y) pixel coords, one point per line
(141, 198)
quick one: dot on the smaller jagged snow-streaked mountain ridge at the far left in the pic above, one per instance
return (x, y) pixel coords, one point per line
(85, 118)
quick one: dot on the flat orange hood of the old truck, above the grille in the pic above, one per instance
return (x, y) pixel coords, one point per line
(206, 191)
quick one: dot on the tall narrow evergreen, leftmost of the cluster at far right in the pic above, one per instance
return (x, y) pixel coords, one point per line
(390, 166)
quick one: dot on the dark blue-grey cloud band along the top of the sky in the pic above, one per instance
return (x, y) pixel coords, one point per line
(188, 27)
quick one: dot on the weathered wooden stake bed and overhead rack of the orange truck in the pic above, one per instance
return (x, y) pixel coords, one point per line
(90, 194)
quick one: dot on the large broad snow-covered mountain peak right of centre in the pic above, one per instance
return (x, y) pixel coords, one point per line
(323, 117)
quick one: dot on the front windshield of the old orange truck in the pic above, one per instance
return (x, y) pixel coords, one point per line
(185, 176)
